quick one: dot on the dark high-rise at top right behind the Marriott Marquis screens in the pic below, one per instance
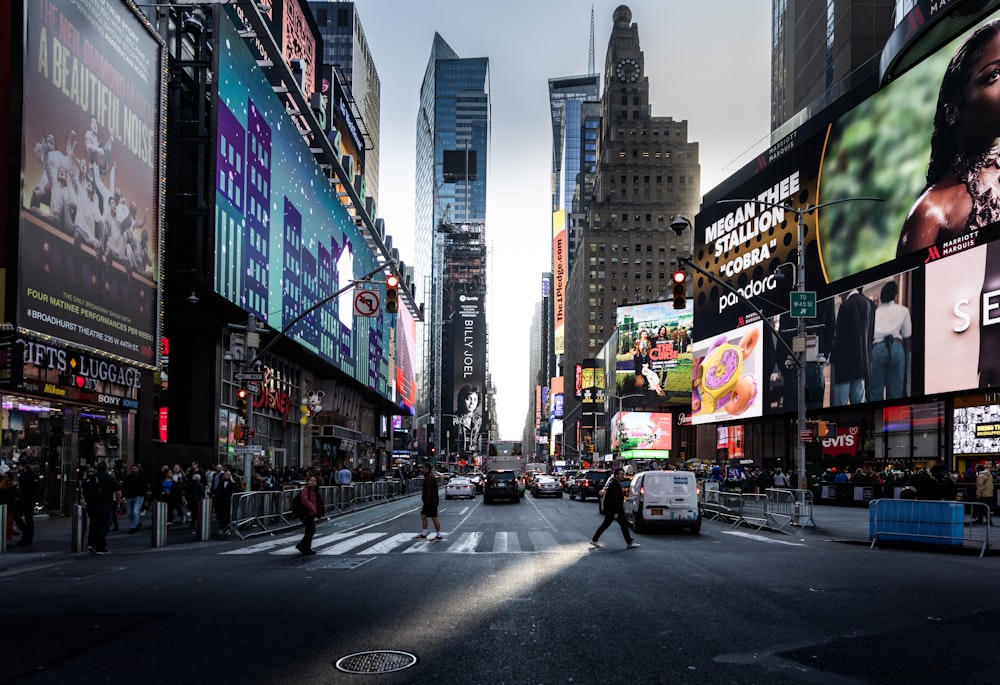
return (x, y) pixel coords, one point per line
(816, 45)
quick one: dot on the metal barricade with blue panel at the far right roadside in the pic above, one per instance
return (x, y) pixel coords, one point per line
(929, 522)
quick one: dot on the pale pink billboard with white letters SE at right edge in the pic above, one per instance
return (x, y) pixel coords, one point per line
(962, 321)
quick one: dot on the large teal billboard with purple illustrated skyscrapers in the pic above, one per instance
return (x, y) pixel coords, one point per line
(284, 241)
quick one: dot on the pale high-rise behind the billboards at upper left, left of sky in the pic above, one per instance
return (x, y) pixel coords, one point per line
(345, 48)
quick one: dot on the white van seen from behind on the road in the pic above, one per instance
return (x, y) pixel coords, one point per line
(663, 498)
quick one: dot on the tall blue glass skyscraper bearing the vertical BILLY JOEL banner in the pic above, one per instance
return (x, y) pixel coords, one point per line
(452, 142)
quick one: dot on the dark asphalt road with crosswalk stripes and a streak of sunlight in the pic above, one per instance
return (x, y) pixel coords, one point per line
(513, 594)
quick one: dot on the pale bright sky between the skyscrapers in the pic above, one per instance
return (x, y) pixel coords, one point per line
(708, 62)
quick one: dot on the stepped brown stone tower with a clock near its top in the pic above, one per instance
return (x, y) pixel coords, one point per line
(647, 173)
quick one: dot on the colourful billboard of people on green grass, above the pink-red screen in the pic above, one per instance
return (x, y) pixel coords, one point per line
(654, 352)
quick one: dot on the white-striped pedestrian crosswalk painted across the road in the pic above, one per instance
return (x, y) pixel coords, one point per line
(373, 543)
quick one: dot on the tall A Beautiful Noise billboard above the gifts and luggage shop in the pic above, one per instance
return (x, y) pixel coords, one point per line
(89, 246)
